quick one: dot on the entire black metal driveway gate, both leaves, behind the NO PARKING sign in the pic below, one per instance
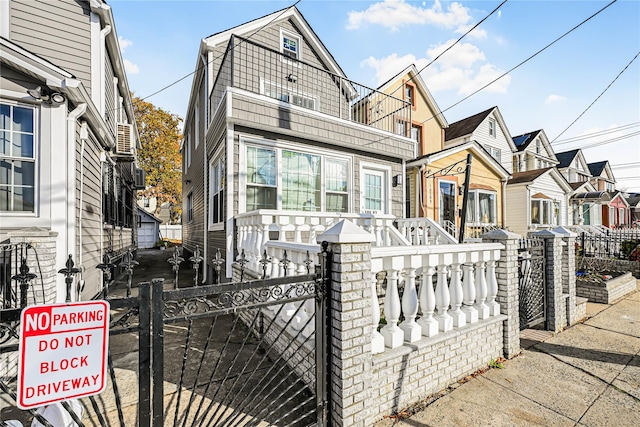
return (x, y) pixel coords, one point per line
(238, 354)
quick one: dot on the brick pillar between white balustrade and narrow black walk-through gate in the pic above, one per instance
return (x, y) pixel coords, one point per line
(507, 297)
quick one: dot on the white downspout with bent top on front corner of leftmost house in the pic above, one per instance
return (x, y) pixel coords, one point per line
(72, 117)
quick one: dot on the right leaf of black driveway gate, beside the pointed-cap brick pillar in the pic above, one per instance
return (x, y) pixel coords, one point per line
(241, 354)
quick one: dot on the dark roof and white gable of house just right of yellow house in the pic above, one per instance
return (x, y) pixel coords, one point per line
(489, 130)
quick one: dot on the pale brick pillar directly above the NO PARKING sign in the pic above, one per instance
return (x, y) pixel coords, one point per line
(43, 265)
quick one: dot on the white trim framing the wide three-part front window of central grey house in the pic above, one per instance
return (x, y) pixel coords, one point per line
(278, 147)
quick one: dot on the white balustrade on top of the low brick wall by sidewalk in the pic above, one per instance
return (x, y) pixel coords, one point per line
(465, 290)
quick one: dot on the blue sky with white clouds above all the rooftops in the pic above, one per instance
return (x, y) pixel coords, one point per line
(372, 40)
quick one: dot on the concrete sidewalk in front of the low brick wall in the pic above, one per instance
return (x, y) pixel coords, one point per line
(587, 375)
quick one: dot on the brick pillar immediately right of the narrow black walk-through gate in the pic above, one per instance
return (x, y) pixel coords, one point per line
(555, 298)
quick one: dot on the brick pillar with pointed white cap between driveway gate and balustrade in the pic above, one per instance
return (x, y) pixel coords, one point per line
(350, 355)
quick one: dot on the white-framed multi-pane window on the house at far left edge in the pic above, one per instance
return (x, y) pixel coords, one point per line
(17, 158)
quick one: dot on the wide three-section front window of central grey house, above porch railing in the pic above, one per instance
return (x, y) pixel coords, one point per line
(295, 180)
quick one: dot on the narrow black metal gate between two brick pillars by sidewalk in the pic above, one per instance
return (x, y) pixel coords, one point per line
(531, 282)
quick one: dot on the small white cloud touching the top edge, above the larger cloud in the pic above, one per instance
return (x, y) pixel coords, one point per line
(394, 14)
